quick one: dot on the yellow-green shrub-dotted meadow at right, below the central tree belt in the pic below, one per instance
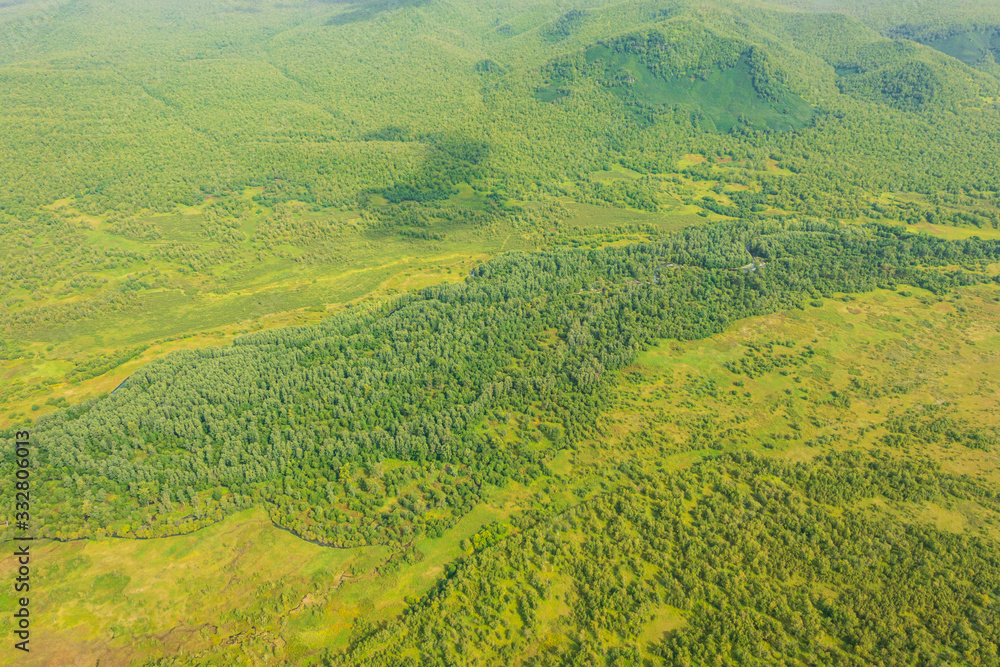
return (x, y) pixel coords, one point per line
(909, 353)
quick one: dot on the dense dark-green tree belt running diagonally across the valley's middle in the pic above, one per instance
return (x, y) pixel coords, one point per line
(333, 426)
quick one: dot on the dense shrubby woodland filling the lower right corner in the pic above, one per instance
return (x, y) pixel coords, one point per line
(765, 563)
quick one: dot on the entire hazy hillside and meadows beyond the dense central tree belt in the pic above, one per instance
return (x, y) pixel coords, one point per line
(170, 167)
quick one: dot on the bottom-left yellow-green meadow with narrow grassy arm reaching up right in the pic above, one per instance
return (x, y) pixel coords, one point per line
(241, 580)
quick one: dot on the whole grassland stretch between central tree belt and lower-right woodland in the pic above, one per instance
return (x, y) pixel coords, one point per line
(904, 376)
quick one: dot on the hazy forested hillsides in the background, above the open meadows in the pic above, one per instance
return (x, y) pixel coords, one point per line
(125, 107)
